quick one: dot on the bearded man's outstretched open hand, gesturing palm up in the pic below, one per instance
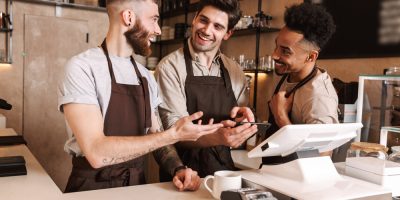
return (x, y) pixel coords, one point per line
(185, 130)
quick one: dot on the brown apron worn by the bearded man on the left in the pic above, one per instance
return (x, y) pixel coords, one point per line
(128, 114)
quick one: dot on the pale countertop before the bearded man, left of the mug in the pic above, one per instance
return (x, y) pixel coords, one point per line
(37, 184)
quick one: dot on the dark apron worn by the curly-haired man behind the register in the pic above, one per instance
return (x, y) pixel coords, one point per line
(272, 160)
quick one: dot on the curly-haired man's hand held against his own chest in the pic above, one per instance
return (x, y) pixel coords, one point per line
(280, 107)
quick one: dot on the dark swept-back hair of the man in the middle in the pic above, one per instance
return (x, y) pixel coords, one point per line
(230, 7)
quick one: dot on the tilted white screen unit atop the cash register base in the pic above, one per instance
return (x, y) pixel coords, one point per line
(305, 137)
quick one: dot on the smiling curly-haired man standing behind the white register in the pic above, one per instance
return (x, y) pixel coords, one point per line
(305, 93)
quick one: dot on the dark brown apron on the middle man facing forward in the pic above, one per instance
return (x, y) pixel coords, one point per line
(214, 96)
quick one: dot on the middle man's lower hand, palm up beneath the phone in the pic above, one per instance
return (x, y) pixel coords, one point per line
(234, 136)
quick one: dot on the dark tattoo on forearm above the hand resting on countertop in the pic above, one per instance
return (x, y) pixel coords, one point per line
(167, 158)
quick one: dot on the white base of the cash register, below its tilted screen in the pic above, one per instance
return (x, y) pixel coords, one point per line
(313, 179)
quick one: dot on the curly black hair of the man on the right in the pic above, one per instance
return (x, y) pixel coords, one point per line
(313, 21)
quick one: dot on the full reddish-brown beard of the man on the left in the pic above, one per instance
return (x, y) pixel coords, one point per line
(138, 38)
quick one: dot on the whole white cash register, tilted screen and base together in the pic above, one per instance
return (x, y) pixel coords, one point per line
(310, 177)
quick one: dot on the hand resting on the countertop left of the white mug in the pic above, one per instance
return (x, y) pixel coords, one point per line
(186, 179)
